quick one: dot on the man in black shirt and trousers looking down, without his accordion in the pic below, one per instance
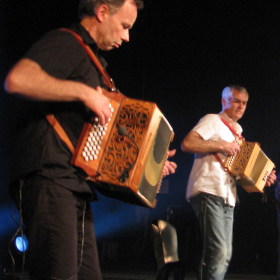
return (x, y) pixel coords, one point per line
(59, 77)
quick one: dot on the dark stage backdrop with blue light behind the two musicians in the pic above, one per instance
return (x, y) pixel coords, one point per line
(181, 55)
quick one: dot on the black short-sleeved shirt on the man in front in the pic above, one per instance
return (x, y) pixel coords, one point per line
(39, 149)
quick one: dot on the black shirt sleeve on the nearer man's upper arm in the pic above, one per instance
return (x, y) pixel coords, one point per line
(58, 53)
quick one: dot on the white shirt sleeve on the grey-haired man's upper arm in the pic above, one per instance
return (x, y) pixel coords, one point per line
(207, 126)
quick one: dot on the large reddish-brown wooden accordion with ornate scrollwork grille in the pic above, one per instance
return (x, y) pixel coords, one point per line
(126, 157)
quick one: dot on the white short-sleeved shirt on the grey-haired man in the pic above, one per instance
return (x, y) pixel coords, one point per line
(207, 174)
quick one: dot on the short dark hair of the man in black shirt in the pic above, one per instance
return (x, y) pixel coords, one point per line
(89, 7)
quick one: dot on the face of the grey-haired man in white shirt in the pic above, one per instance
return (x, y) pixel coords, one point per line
(236, 105)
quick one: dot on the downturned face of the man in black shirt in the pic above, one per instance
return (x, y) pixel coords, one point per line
(114, 29)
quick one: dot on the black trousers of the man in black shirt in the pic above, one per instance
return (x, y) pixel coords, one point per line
(60, 232)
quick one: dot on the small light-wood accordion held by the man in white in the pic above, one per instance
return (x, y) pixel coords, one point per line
(250, 167)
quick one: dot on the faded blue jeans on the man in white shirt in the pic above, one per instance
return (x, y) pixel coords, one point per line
(215, 219)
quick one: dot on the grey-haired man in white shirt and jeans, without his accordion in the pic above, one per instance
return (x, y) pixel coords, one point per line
(211, 190)
